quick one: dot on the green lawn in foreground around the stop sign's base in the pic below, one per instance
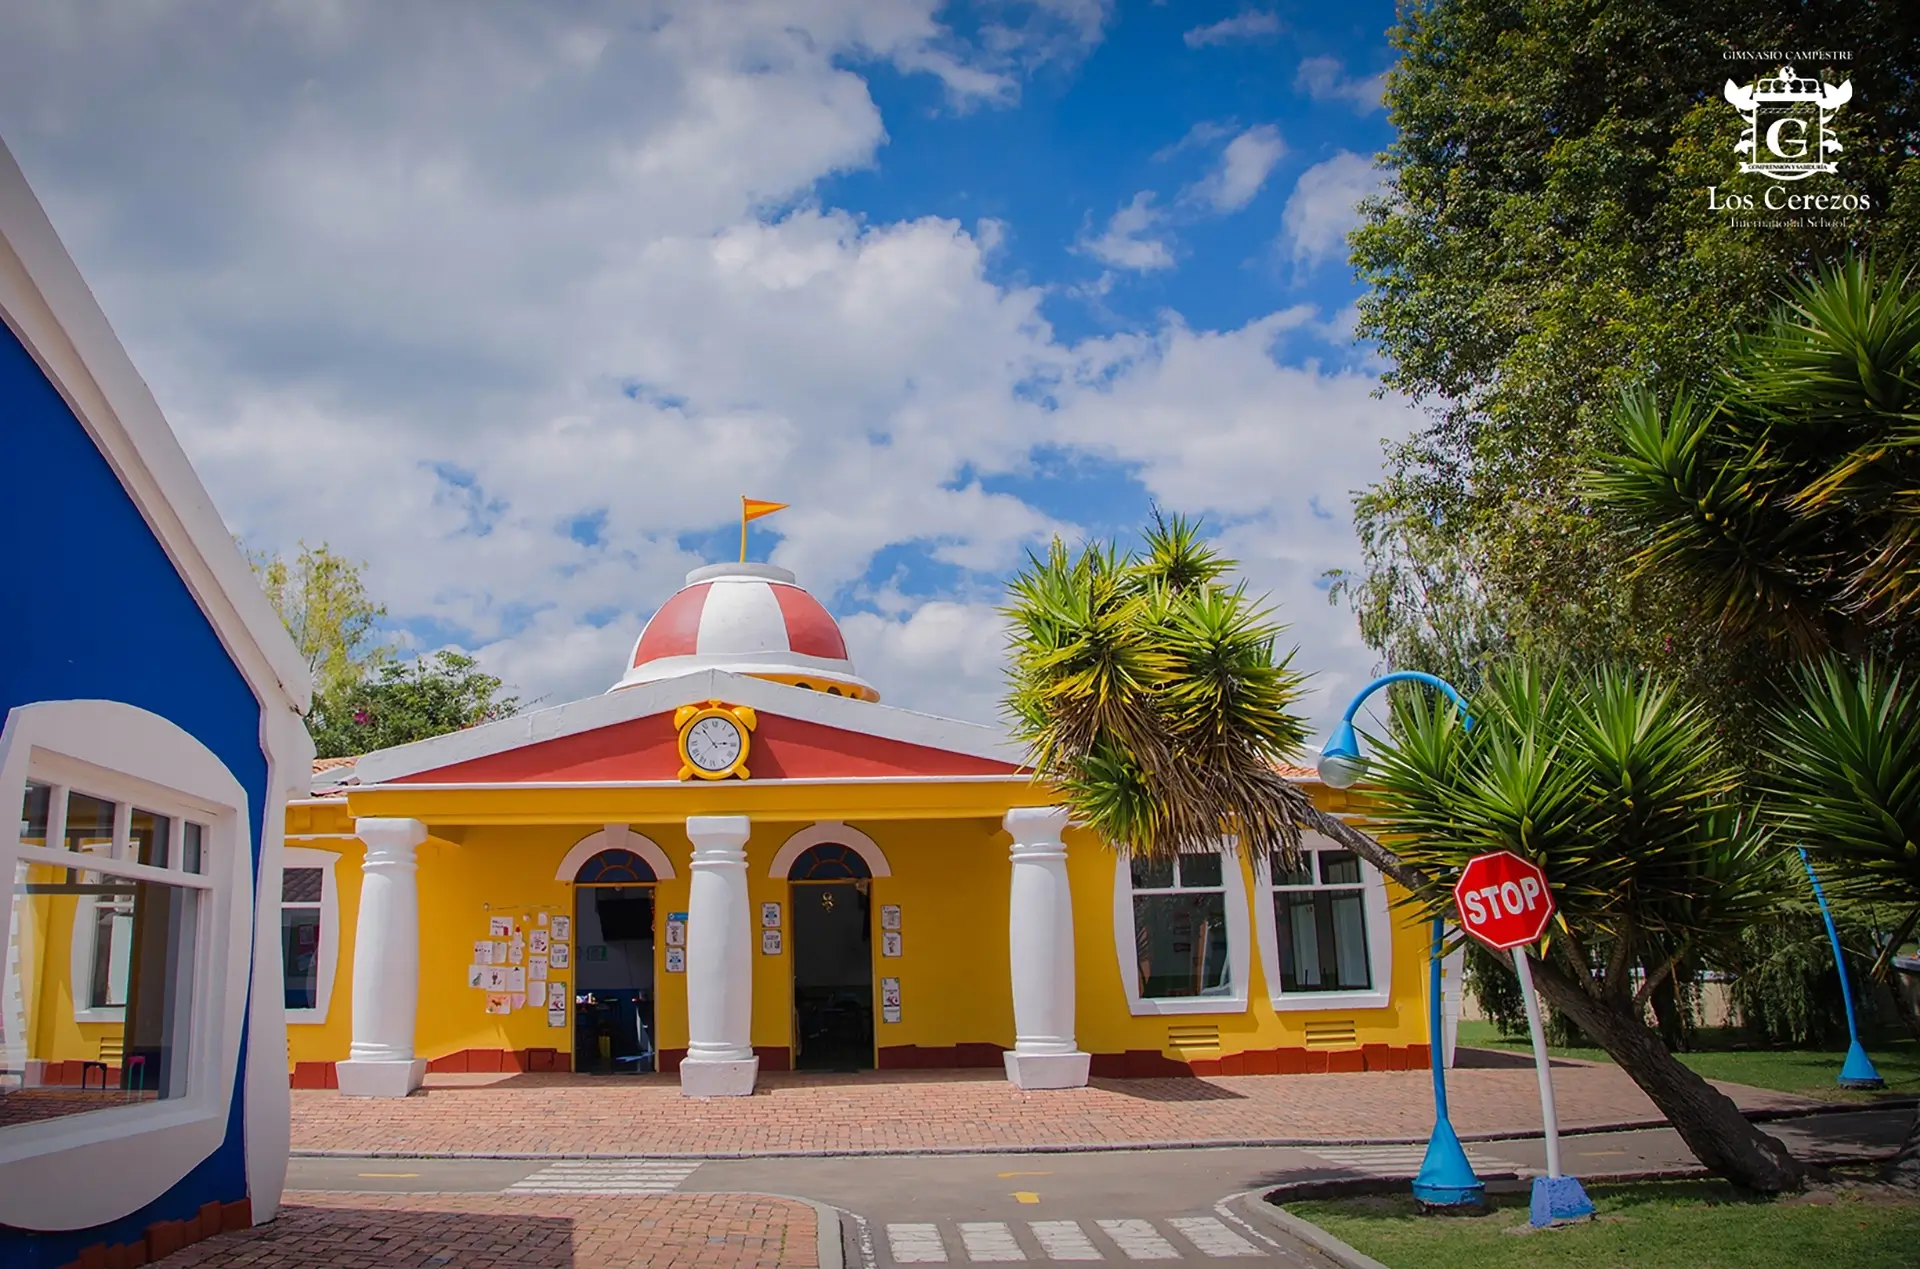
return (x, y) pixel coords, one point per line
(1660, 1226)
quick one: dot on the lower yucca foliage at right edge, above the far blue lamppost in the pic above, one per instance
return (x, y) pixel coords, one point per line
(1848, 788)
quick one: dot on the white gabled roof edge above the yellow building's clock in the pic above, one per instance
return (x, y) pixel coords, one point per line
(629, 704)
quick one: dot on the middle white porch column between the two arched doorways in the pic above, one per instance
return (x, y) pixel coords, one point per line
(719, 963)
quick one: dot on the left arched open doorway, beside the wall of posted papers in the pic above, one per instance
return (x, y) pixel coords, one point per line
(613, 965)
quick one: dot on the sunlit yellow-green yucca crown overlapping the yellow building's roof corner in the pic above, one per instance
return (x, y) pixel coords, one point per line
(1151, 696)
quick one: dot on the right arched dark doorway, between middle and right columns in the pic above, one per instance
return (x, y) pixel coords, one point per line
(832, 963)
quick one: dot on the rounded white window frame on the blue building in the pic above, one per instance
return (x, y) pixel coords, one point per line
(93, 1168)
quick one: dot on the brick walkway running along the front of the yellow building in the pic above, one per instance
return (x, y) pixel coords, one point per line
(946, 1111)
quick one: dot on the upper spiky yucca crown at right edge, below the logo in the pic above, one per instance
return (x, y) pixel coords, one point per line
(1788, 500)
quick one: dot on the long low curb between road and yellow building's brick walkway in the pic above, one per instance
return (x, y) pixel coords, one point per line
(1118, 1147)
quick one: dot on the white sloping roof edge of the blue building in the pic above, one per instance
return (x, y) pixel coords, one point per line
(47, 304)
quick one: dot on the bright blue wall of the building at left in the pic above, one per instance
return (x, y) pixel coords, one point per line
(97, 611)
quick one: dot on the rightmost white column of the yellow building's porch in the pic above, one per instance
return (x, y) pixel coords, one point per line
(1042, 942)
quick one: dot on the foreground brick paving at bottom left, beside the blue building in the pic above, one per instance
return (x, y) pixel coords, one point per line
(487, 1232)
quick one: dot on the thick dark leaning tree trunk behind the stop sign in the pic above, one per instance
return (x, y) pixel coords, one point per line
(1706, 1118)
